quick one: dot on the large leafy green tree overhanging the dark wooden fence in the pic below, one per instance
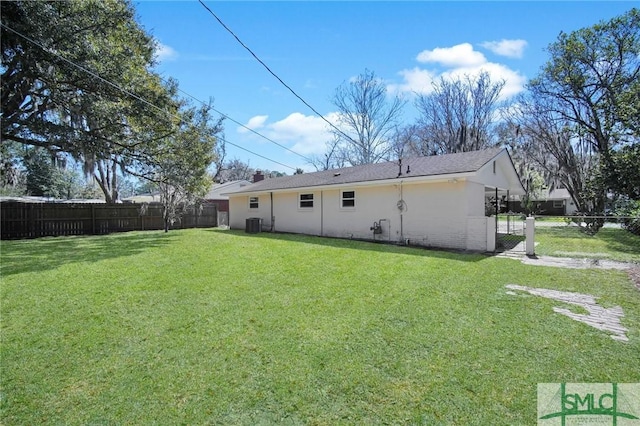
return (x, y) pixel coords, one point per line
(77, 79)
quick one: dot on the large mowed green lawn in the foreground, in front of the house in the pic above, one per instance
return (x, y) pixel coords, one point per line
(221, 327)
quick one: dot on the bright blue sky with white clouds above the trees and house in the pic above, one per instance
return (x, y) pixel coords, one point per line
(316, 46)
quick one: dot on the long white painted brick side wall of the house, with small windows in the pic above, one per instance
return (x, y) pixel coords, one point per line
(437, 214)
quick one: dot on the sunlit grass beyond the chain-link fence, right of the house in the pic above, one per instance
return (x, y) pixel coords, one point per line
(569, 241)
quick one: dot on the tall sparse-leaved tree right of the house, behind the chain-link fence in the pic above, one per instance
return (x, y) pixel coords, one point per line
(579, 120)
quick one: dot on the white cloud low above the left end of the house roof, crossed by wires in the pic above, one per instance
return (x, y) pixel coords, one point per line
(304, 134)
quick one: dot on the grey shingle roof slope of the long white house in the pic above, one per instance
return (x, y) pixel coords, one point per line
(419, 166)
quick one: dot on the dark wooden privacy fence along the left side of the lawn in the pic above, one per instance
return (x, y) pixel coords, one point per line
(34, 220)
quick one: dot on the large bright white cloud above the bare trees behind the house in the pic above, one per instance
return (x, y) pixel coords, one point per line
(456, 62)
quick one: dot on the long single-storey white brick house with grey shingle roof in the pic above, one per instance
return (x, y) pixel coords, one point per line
(436, 201)
